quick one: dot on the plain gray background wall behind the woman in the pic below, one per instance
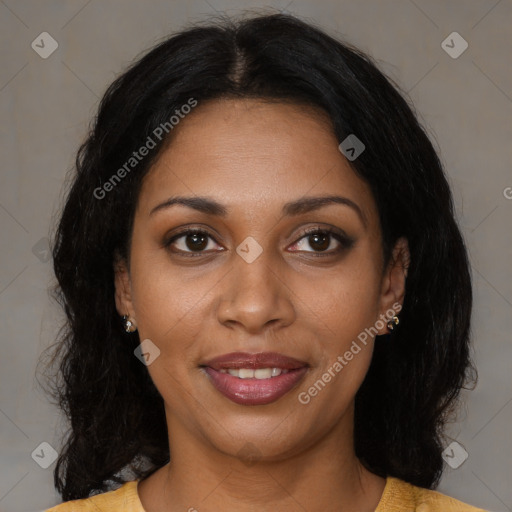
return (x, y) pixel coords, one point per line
(46, 106)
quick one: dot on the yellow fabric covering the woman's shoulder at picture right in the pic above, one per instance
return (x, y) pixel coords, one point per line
(400, 496)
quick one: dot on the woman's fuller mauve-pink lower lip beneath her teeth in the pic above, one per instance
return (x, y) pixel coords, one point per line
(255, 391)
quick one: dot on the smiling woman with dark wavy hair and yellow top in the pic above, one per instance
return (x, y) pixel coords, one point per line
(268, 296)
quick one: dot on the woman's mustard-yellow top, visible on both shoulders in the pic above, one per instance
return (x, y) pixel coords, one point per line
(398, 496)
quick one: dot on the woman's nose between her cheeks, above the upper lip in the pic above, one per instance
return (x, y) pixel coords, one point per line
(255, 296)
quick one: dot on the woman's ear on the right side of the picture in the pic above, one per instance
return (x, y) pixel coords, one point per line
(393, 282)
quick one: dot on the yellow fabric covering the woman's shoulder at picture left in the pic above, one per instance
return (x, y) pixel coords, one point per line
(123, 499)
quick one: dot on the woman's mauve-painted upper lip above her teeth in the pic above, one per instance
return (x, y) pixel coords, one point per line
(238, 360)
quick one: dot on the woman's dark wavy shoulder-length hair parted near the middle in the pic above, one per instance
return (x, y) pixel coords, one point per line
(116, 415)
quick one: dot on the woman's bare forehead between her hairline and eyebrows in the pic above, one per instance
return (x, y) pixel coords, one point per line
(250, 154)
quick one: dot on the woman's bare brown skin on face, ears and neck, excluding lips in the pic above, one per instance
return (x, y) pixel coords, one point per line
(253, 157)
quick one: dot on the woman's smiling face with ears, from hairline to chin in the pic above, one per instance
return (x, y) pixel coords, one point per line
(270, 270)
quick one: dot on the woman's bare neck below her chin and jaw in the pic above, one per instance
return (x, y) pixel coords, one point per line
(323, 476)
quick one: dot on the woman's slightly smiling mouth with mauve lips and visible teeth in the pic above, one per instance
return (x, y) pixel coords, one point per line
(254, 379)
